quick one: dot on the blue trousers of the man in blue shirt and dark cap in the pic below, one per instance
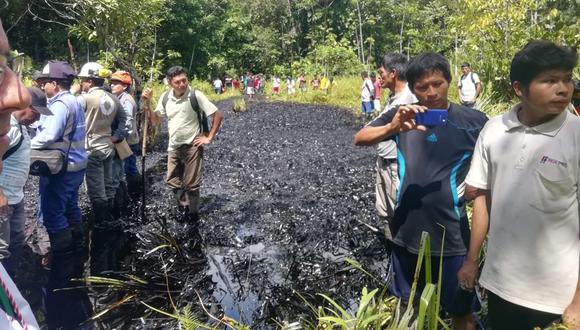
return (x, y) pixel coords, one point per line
(59, 200)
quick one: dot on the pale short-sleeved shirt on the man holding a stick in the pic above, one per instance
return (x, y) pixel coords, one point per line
(182, 120)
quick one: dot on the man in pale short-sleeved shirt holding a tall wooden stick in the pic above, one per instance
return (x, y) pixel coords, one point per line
(186, 110)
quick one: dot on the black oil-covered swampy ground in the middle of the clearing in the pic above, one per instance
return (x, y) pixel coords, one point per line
(284, 194)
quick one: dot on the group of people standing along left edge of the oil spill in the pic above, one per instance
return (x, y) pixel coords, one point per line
(67, 134)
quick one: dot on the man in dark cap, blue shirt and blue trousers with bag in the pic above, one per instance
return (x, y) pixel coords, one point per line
(61, 139)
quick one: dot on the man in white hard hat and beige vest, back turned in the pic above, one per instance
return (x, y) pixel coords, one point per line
(106, 125)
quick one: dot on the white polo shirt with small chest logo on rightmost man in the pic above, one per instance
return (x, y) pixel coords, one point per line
(532, 173)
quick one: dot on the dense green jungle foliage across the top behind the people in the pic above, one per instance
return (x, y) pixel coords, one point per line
(338, 37)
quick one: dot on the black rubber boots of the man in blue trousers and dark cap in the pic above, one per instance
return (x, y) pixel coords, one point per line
(69, 308)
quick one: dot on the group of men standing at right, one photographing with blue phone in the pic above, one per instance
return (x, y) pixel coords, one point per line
(521, 169)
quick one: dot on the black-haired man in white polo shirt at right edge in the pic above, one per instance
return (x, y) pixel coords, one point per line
(525, 177)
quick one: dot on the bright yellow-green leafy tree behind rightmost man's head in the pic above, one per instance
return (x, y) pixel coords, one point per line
(490, 32)
